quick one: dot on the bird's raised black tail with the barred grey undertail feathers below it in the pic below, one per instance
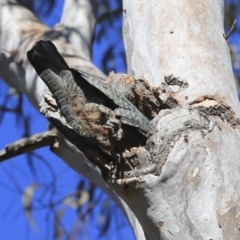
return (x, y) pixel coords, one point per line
(54, 71)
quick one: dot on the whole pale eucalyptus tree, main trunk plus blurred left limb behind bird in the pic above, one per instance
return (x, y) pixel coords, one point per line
(187, 186)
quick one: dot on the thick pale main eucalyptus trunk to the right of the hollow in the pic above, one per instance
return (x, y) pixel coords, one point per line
(179, 47)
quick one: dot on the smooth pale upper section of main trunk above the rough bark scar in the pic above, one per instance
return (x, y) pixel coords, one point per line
(183, 38)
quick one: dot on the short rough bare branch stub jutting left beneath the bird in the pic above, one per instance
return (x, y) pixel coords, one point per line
(29, 144)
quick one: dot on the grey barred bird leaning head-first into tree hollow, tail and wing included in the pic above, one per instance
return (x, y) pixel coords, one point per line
(71, 87)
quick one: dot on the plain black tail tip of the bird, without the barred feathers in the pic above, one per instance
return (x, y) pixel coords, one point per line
(44, 55)
